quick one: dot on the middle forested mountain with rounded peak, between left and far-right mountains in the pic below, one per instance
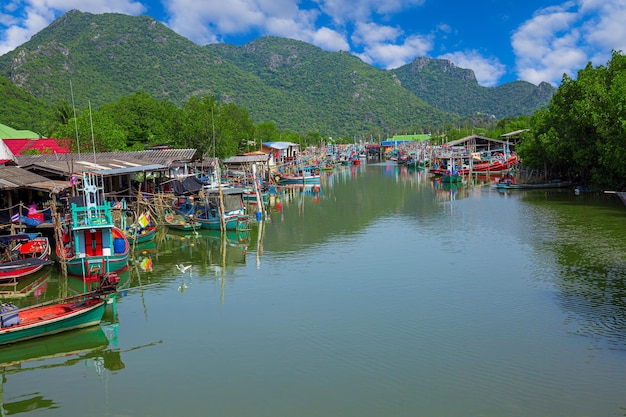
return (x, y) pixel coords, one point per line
(333, 91)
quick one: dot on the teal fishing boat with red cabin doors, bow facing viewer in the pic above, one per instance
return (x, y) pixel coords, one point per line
(92, 243)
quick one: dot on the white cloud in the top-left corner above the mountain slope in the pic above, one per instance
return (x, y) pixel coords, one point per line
(38, 14)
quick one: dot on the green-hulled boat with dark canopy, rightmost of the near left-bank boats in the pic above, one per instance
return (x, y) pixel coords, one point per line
(208, 210)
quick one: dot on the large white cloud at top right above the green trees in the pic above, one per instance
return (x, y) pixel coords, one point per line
(563, 39)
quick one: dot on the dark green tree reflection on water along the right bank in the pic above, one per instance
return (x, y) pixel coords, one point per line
(588, 247)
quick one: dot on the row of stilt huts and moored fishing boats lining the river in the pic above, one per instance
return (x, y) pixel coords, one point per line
(87, 212)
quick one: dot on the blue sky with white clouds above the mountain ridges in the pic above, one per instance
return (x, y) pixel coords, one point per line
(501, 40)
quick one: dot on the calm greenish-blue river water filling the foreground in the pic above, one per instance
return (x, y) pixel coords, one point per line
(383, 294)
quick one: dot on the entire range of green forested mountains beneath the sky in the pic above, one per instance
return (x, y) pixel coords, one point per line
(103, 57)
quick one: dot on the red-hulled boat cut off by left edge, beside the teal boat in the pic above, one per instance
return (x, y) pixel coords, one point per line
(22, 255)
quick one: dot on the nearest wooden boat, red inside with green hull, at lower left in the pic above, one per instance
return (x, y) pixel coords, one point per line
(84, 310)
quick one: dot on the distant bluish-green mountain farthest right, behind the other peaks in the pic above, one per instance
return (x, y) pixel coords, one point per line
(445, 86)
